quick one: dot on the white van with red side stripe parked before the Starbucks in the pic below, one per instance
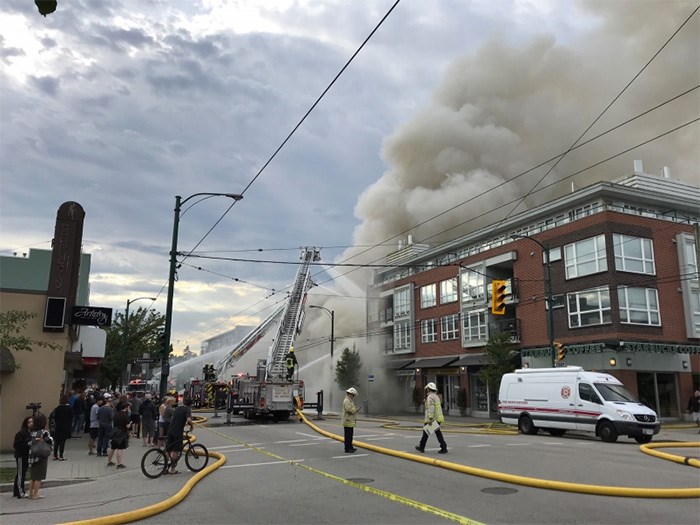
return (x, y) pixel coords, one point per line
(569, 398)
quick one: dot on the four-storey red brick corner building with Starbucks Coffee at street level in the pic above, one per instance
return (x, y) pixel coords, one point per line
(624, 297)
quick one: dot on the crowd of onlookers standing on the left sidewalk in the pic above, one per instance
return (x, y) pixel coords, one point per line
(108, 419)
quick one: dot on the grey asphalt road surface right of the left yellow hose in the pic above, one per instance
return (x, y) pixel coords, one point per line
(288, 473)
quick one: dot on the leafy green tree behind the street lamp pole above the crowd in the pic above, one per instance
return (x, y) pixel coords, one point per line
(145, 325)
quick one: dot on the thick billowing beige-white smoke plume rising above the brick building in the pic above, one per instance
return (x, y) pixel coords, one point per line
(506, 108)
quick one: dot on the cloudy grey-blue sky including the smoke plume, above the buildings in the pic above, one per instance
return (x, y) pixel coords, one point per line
(122, 105)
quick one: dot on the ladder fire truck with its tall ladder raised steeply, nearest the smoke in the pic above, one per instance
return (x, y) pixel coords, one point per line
(269, 393)
